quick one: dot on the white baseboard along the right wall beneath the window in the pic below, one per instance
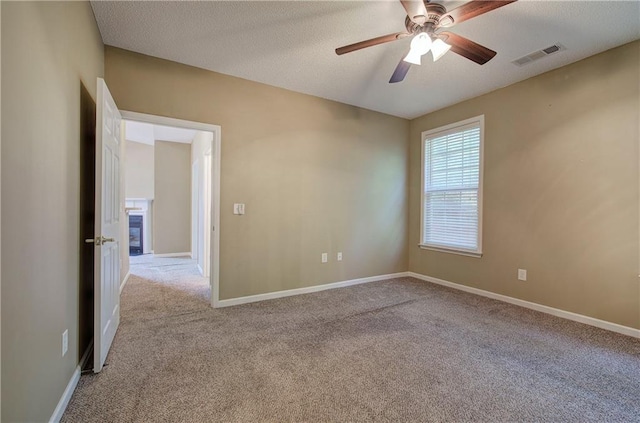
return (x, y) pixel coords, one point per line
(614, 327)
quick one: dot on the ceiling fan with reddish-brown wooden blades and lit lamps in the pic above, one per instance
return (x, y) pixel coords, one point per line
(425, 21)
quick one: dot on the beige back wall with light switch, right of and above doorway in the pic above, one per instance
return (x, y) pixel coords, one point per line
(316, 176)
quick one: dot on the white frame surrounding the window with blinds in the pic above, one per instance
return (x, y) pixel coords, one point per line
(430, 134)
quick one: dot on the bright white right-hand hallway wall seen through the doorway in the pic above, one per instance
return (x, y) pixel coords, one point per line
(201, 146)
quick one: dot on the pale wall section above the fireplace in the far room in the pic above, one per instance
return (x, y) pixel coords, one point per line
(139, 167)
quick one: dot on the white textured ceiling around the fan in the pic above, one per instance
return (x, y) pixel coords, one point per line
(290, 44)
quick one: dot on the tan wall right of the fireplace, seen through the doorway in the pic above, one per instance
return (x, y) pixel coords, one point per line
(172, 203)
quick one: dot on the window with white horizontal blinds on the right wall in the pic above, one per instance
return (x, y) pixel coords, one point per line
(452, 188)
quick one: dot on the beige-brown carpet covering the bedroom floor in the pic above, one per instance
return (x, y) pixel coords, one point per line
(397, 350)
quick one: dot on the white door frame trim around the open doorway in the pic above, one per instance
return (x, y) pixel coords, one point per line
(216, 148)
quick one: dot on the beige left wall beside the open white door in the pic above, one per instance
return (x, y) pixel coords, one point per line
(48, 50)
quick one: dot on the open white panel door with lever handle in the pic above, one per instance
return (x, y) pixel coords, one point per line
(107, 225)
